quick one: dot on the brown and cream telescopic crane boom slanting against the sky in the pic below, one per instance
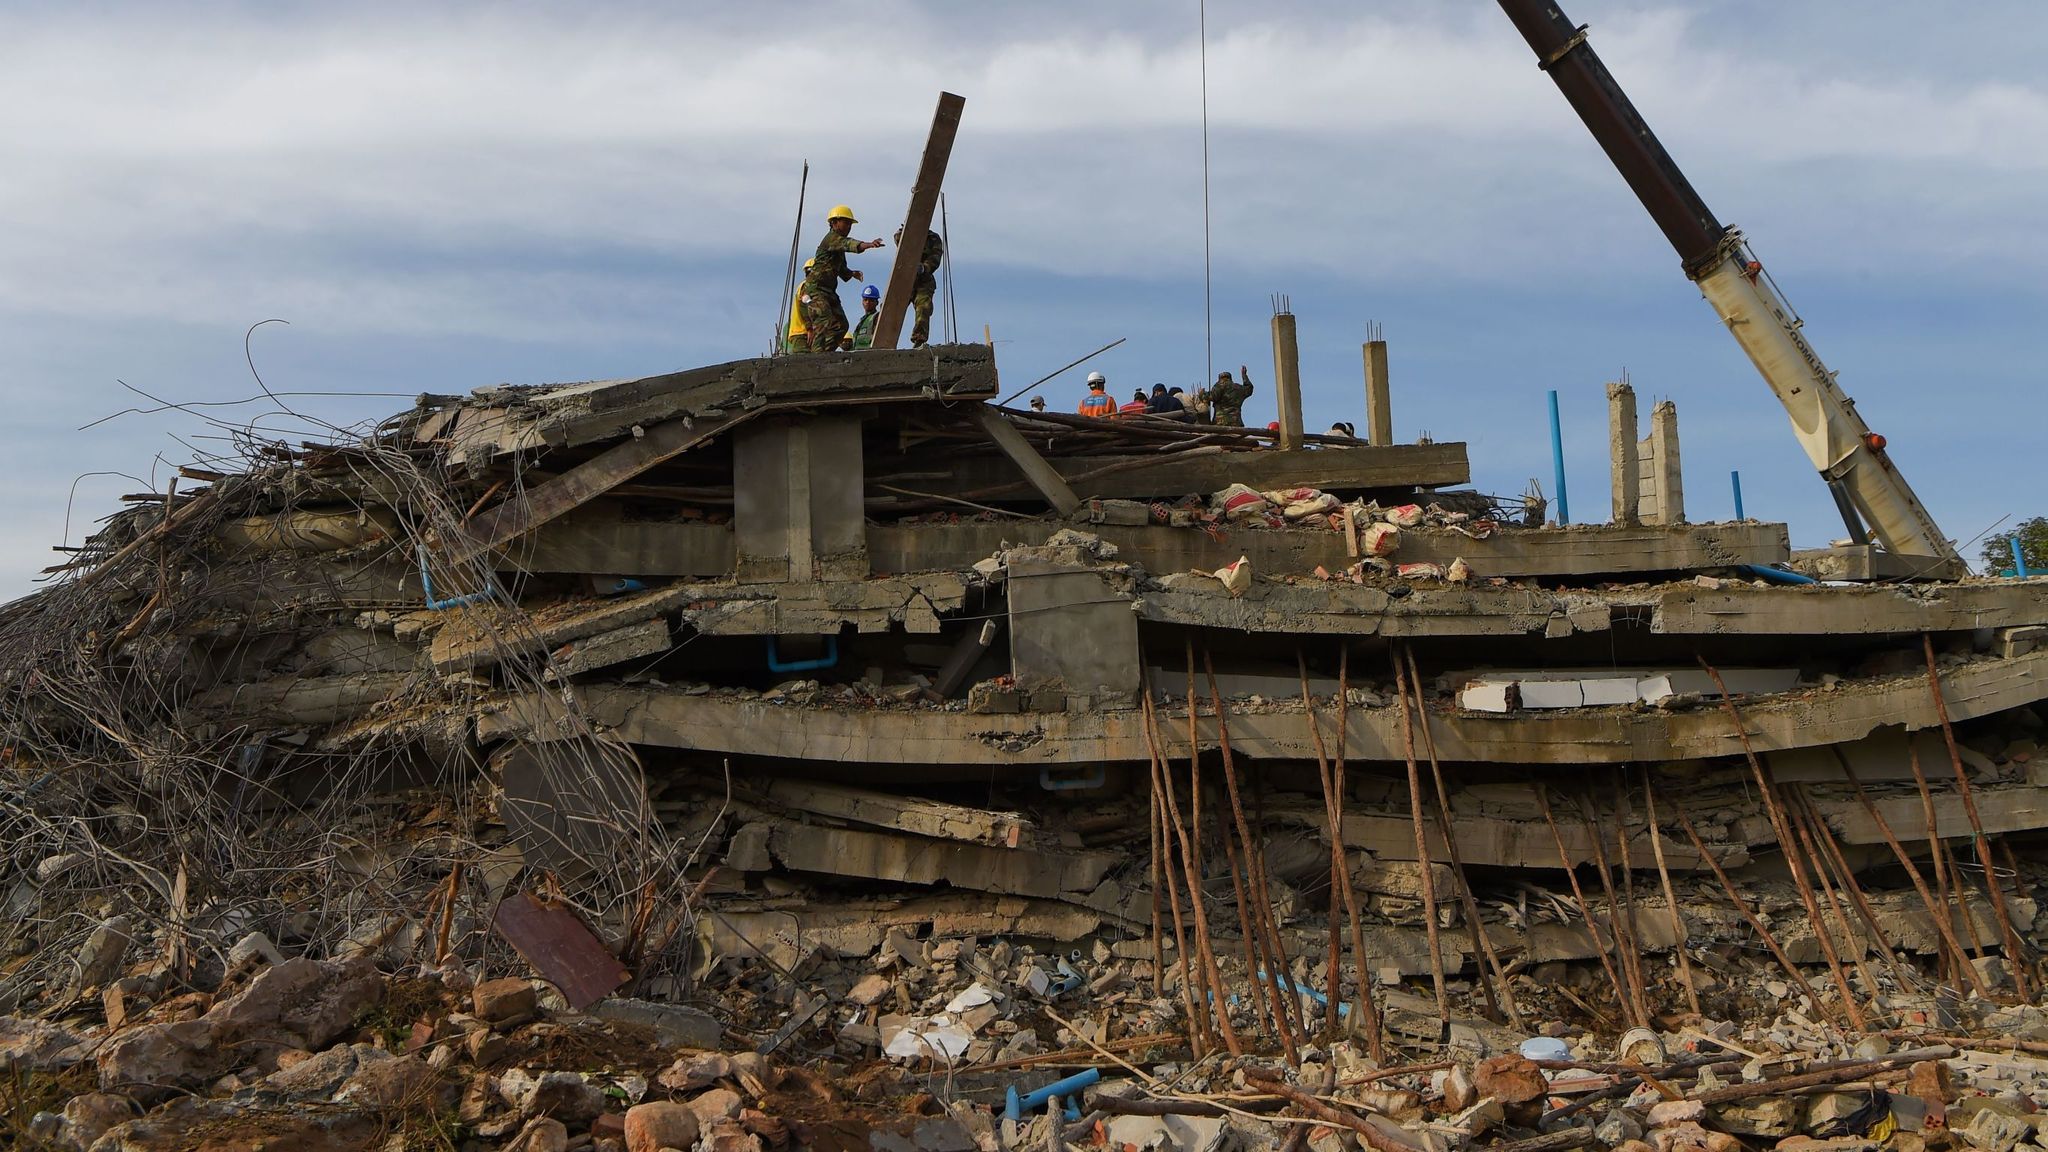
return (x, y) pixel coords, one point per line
(1848, 456)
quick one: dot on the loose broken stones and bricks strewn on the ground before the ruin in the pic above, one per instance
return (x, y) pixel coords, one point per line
(1078, 1053)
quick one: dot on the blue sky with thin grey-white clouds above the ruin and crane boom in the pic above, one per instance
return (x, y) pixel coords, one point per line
(445, 198)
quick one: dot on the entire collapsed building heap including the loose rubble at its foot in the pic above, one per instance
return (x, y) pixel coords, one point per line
(808, 753)
